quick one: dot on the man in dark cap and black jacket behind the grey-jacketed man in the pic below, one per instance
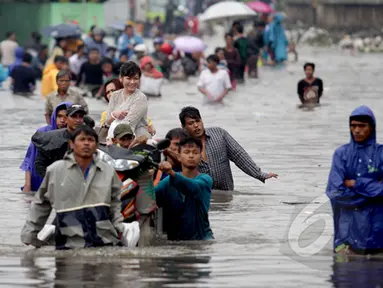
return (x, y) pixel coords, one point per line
(52, 146)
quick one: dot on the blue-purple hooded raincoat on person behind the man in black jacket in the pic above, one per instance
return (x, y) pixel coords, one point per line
(29, 160)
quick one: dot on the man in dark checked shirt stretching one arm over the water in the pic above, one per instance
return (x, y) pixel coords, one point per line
(219, 148)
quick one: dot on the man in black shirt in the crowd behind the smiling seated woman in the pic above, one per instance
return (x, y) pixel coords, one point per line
(91, 73)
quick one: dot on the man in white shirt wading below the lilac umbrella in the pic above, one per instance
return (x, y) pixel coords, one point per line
(214, 83)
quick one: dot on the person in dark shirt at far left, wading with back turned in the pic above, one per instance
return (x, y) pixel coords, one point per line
(24, 77)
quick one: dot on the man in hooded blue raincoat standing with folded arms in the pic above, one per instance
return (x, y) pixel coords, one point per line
(355, 188)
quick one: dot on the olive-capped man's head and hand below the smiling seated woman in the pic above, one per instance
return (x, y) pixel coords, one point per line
(124, 137)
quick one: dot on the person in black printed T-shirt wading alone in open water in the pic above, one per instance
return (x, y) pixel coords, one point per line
(310, 89)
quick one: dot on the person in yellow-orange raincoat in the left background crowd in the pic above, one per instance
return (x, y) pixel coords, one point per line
(48, 82)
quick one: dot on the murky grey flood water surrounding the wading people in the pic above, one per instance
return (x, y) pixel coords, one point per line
(260, 229)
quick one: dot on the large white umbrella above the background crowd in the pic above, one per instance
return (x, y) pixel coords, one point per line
(227, 10)
